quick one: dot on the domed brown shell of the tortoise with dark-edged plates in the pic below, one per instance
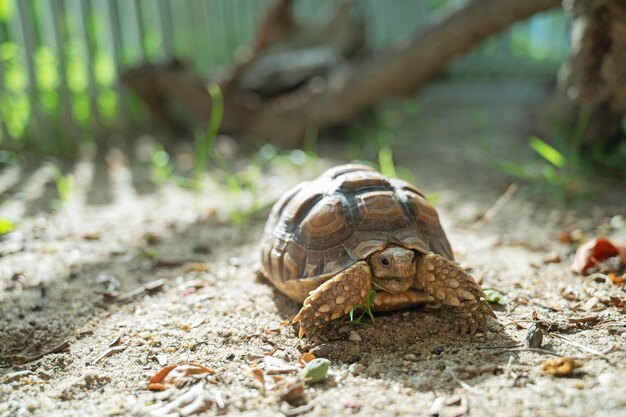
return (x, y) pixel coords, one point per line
(321, 227)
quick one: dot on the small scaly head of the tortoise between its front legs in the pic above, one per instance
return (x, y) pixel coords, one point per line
(393, 269)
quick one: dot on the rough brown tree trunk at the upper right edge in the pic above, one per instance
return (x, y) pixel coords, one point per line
(594, 78)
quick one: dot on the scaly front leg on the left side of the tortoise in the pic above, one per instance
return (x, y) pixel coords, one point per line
(334, 298)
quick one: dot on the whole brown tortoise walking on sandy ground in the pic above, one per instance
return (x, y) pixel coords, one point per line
(329, 241)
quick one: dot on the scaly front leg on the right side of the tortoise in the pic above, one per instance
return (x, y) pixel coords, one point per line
(451, 285)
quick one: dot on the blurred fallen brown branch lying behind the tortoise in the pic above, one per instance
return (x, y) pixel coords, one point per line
(271, 94)
